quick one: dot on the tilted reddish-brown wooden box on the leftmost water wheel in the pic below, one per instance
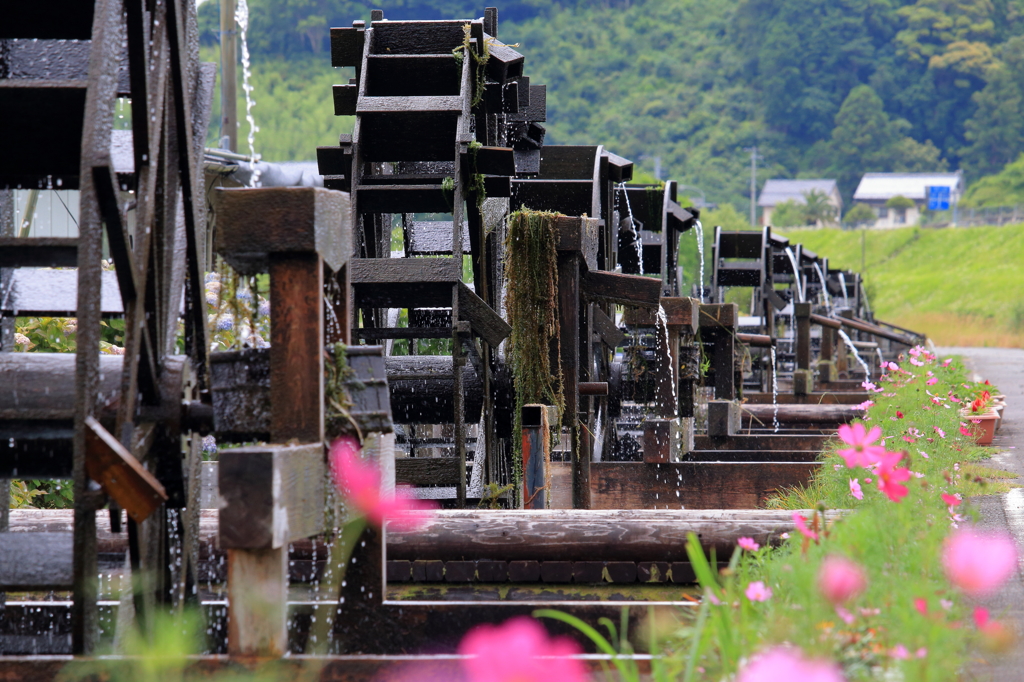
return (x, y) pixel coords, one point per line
(120, 475)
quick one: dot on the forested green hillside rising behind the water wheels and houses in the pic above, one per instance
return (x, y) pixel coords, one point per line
(823, 88)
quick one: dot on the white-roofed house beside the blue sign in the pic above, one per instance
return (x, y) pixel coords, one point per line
(877, 190)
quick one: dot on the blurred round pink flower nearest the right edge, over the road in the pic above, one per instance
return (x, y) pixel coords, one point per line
(979, 563)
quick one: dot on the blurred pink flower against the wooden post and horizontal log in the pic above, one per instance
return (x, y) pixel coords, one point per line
(361, 484)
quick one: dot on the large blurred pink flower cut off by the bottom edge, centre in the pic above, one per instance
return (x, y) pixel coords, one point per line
(520, 651)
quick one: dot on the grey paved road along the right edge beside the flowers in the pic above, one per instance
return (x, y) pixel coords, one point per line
(1005, 368)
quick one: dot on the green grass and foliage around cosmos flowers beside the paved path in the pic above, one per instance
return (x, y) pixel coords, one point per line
(898, 544)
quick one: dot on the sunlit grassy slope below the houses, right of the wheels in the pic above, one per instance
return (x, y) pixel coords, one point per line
(959, 286)
